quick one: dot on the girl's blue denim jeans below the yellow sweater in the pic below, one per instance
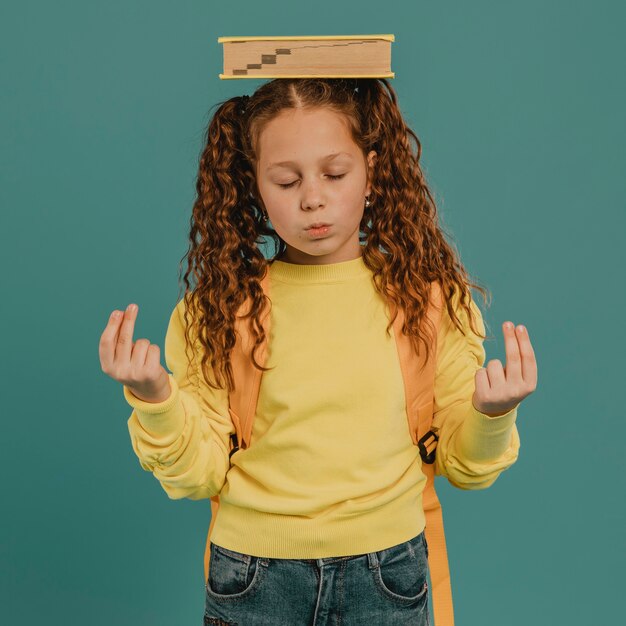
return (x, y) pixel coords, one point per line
(387, 587)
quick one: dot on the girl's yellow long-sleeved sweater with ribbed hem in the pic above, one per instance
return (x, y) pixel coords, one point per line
(331, 469)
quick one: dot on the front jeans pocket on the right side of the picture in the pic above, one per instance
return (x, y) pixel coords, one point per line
(402, 570)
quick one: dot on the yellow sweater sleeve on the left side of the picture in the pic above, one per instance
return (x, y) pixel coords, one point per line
(183, 440)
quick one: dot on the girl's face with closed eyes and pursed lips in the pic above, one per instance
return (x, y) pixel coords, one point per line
(302, 183)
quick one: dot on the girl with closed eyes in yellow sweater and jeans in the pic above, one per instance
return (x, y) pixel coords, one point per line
(321, 519)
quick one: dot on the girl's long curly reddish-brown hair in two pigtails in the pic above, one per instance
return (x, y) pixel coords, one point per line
(404, 243)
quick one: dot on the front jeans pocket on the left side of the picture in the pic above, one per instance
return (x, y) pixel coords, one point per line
(232, 574)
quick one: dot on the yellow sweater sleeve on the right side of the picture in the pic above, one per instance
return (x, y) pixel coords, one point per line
(473, 448)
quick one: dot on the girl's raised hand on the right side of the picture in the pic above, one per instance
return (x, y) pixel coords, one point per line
(499, 389)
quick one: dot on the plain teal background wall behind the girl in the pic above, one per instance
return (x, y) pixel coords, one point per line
(520, 111)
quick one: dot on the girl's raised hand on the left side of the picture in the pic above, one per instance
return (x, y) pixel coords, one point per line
(136, 364)
